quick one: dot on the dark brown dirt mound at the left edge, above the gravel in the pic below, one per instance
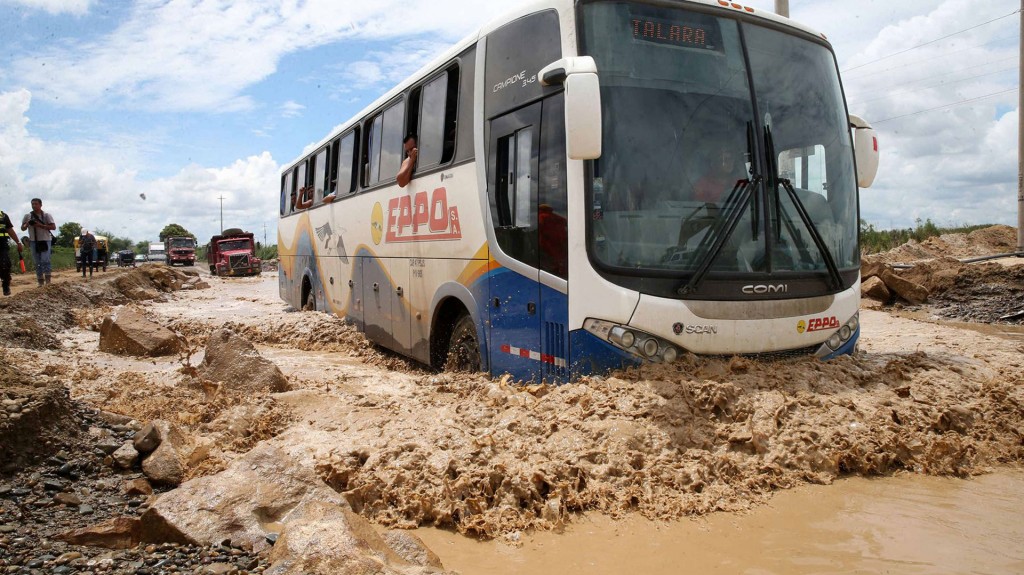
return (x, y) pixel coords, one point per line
(36, 415)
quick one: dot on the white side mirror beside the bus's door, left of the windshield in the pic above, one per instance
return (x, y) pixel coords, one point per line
(583, 104)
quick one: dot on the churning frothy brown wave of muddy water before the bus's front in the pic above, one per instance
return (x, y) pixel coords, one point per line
(704, 435)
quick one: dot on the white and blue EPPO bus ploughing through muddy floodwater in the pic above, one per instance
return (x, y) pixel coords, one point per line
(601, 185)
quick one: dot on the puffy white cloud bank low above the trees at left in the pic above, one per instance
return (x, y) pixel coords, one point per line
(91, 188)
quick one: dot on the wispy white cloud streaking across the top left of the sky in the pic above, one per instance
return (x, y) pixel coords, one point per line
(203, 55)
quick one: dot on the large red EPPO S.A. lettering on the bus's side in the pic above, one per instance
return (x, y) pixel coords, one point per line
(422, 218)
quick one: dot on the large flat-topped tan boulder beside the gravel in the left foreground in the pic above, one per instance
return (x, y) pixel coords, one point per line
(262, 490)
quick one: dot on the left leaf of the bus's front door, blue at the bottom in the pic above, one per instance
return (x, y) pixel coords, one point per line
(516, 292)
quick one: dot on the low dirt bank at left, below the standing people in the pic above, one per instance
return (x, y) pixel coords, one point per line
(31, 320)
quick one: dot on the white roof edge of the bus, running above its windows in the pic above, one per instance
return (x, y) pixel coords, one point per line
(563, 7)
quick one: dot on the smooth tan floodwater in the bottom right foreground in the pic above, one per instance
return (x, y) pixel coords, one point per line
(908, 524)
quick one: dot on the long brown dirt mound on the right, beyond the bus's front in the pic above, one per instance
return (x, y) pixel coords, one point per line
(987, 242)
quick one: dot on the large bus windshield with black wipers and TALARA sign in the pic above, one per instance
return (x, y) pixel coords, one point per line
(693, 105)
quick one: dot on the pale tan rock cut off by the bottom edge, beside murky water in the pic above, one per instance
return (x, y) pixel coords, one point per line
(330, 539)
